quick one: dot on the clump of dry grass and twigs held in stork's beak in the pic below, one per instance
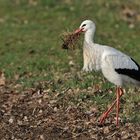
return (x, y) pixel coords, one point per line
(69, 40)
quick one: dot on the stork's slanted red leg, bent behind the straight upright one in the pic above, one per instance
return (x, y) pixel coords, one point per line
(105, 114)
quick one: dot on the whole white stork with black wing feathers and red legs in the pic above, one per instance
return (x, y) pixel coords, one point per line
(117, 67)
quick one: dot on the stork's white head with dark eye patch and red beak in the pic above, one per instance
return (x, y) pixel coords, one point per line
(86, 26)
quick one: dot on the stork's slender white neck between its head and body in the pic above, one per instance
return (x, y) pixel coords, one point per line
(89, 35)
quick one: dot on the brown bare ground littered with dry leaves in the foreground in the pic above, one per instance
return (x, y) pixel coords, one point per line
(44, 114)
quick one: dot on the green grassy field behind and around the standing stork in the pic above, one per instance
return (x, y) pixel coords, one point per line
(31, 53)
